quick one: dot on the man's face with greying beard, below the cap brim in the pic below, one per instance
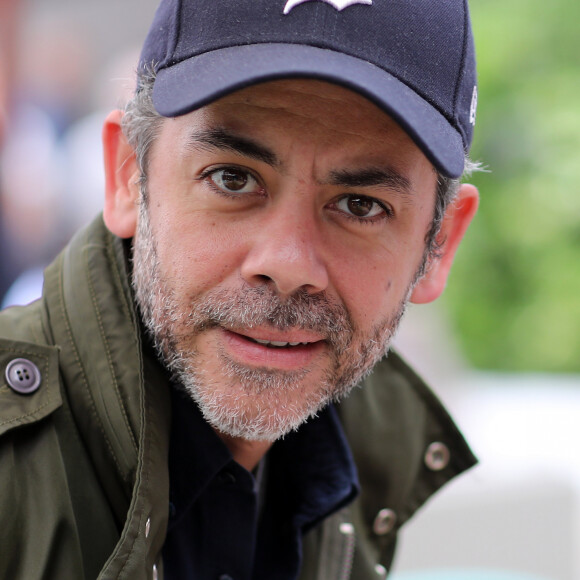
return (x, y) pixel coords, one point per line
(280, 240)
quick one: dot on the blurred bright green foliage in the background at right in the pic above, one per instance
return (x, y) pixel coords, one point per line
(514, 295)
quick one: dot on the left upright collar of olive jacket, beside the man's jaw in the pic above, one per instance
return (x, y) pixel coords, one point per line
(118, 392)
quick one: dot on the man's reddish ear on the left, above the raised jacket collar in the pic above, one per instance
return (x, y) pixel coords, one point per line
(121, 179)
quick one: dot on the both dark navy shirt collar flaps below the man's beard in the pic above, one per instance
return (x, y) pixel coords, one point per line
(313, 464)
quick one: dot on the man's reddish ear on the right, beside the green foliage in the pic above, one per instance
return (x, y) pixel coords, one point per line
(457, 218)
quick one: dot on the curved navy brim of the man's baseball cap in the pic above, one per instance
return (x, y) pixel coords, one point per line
(199, 80)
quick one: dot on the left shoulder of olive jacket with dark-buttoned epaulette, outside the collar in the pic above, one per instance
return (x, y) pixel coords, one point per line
(51, 501)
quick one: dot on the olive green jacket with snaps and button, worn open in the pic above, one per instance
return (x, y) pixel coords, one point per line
(83, 459)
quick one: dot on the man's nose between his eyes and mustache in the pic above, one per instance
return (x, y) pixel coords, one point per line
(286, 251)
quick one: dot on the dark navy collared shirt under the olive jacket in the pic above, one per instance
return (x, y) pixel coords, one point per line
(225, 523)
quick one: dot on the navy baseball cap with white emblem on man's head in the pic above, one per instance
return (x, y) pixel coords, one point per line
(415, 59)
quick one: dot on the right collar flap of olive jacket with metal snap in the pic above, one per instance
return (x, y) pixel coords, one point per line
(405, 444)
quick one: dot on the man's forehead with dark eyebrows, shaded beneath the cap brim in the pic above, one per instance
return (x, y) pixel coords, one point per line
(351, 140)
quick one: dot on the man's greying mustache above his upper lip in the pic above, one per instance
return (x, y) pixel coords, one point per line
(249, 307)
